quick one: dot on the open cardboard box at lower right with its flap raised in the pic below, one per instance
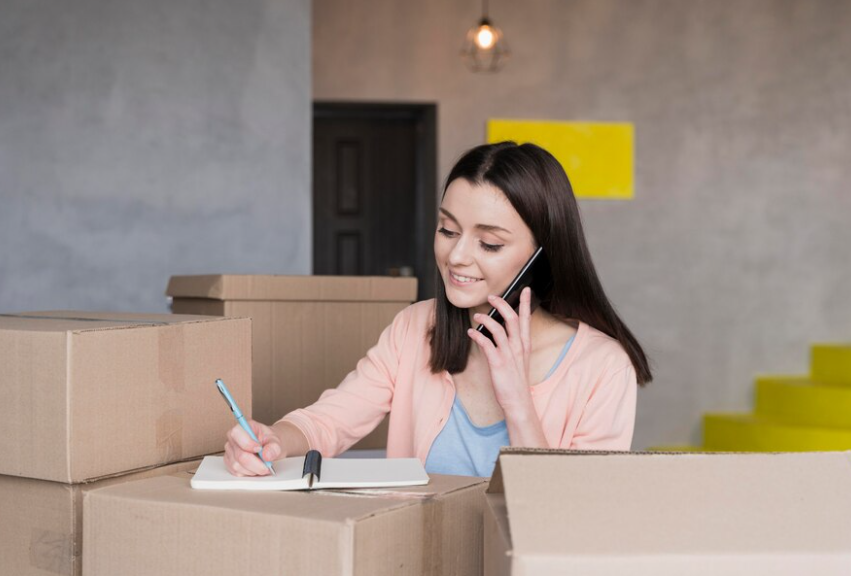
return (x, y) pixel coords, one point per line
(557, 512)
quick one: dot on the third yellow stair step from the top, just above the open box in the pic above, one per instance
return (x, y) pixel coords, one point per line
(747, 433)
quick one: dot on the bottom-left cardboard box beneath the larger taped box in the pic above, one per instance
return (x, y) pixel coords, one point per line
(41, 522)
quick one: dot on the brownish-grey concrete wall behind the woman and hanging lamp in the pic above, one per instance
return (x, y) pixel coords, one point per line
(734, 254)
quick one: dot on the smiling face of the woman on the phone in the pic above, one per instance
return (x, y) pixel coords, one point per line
(480, 245)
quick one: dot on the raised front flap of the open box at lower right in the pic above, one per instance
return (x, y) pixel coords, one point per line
(627, 504)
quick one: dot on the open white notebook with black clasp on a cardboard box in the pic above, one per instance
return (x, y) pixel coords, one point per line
(312, 472)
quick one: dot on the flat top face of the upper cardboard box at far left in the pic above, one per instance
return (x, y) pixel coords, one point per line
(80, 321)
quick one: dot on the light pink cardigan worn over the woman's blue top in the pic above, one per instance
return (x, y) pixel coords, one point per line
(587, 403)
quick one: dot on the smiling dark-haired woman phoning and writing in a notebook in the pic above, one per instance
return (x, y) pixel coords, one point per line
(564, 375)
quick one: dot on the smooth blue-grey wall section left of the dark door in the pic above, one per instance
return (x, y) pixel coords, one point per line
(144, 139)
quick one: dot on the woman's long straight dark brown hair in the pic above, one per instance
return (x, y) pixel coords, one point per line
(539, 190)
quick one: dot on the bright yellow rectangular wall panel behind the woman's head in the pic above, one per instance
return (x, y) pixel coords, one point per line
(598, 157)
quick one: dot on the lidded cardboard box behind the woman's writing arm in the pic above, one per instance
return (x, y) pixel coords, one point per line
(309, 331)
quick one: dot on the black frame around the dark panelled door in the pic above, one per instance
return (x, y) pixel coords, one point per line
(424, 116)
